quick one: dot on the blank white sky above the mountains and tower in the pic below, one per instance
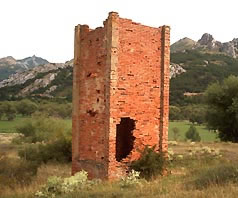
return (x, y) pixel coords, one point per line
(46, 27)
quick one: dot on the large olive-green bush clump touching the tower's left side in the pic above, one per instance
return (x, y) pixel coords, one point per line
(52, 140)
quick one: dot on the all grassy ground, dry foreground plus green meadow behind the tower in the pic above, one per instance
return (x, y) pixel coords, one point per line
(204, 169)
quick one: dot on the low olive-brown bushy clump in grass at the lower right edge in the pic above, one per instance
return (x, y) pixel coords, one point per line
(219, 176)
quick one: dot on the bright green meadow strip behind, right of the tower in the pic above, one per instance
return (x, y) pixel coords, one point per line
(183, 126)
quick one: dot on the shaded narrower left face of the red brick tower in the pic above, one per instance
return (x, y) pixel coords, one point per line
(89, 151)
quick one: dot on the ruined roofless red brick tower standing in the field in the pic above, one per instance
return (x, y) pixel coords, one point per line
(120, 95)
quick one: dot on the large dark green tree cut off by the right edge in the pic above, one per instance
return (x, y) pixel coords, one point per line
(222, 114)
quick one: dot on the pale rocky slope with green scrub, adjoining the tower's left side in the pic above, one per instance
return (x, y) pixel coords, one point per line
(42, 80)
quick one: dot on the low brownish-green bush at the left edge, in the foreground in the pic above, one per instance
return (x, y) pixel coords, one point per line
(15, 171)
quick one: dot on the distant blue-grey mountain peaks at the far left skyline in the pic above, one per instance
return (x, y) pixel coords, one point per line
(9, 65)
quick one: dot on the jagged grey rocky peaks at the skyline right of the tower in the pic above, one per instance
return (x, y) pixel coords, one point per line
(207, 44)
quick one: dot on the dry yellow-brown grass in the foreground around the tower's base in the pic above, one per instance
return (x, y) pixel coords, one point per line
(198, 176)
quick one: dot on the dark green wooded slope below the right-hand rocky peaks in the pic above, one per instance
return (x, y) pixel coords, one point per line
(202, 69)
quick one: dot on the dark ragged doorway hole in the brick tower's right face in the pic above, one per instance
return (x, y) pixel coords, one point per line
(124, 138)
